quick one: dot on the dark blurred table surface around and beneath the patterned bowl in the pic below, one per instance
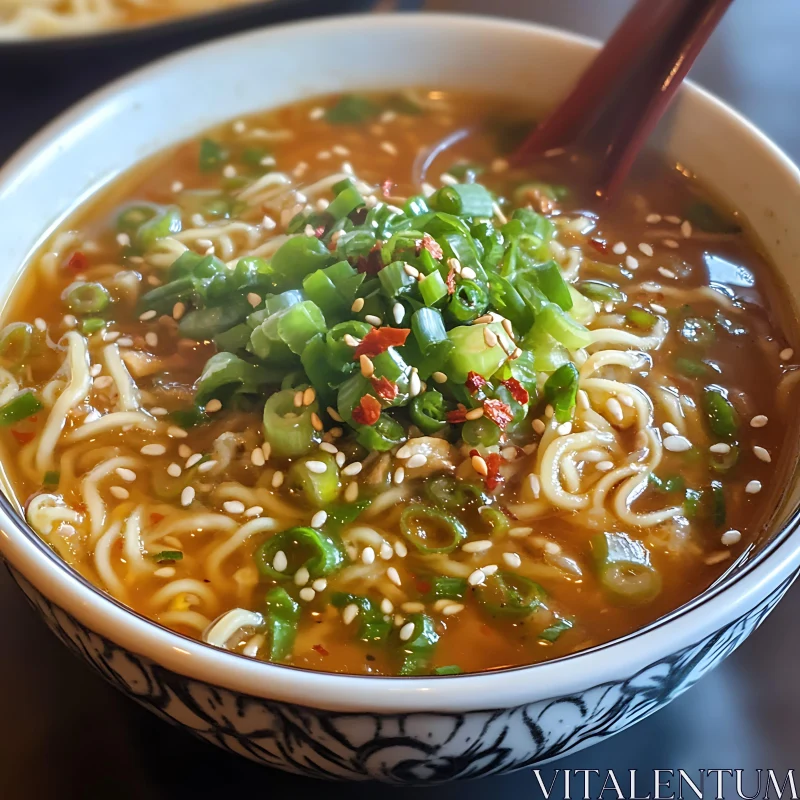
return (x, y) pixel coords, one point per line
(65, 733)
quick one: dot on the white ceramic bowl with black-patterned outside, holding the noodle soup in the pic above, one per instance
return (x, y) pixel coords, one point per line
(395, 729)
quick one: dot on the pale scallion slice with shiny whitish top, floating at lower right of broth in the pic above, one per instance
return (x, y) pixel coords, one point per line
(624, 569)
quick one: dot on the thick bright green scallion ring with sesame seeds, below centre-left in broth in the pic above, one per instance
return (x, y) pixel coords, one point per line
(303, 547)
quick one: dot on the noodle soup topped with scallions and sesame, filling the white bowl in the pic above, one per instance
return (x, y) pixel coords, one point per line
(270, 393)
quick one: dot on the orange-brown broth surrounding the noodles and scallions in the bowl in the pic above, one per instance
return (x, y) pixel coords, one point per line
(689, 557)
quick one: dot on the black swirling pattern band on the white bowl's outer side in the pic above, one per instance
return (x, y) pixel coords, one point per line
(411, 748)
